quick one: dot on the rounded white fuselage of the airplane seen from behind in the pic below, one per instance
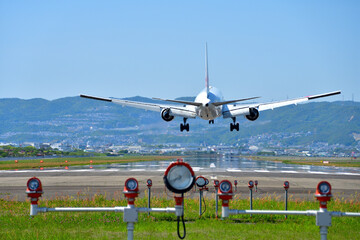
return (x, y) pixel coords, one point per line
(208, 111)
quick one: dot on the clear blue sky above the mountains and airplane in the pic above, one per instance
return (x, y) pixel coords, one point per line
(273, 49)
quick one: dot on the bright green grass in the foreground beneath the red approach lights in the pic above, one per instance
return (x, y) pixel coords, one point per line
(16, 224)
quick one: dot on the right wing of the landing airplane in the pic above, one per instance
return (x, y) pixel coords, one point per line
(238, 110)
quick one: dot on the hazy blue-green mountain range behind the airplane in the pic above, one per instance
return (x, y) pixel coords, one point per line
(75, 120)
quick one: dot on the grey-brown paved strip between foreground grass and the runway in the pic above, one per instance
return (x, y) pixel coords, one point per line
(84, 184)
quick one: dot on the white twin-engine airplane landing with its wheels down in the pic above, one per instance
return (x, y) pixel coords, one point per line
(209, 104)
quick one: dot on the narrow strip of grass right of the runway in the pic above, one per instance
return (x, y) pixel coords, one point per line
(319, 161)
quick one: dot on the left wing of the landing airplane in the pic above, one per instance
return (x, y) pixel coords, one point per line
(181, 111)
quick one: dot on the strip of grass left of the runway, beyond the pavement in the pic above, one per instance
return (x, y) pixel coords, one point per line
(70, 161)
